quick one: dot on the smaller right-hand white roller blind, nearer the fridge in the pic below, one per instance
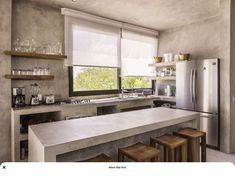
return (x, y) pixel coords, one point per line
(138, 51)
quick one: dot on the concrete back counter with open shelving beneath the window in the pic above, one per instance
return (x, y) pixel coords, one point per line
(63, 110)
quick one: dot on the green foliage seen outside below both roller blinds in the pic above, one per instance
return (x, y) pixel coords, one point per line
(98, 78)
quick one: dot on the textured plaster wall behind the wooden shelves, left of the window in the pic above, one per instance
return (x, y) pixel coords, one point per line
(46, 26)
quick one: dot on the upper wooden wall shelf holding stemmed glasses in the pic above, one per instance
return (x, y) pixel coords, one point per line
(35, 55)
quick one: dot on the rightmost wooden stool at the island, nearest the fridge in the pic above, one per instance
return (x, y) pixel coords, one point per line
(193, 135)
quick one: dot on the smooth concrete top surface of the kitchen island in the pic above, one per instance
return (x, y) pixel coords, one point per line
(66, 131)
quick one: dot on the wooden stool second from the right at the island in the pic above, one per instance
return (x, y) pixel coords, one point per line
(171, 147)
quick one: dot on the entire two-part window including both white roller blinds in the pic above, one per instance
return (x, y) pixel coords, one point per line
(103, 57)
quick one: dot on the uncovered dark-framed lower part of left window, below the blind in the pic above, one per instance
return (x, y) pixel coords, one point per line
(93, 80)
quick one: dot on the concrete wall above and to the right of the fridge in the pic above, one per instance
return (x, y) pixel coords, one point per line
(207, 39)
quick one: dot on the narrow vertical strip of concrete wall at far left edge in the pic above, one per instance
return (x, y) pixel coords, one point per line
(5, 85)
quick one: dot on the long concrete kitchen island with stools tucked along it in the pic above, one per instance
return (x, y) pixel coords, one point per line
(50, 141)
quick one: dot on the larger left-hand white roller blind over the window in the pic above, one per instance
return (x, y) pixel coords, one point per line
(92, 44)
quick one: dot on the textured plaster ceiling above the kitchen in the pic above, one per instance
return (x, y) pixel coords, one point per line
(155, 14)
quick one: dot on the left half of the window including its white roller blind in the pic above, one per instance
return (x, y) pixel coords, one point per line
(94, 52)
